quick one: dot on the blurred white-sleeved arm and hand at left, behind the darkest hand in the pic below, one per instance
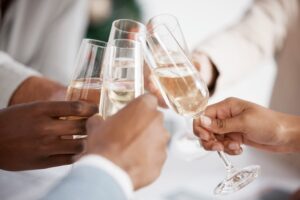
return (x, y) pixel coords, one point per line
(21, 84)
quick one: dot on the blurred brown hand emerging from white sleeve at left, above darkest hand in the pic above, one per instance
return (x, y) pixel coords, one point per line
(38, 89)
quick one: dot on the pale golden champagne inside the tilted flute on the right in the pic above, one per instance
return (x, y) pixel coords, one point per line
(181, 89)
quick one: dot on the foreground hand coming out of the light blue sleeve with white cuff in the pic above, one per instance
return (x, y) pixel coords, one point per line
(133, 139)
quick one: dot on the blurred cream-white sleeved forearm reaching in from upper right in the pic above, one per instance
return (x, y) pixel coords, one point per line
(238, 50)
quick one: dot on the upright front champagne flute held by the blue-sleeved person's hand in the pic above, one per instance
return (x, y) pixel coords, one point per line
(123, 76)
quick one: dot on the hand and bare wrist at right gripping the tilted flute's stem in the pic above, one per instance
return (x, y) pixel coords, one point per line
(228, 124)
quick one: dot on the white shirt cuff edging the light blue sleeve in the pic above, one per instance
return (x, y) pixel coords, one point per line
(120, 176)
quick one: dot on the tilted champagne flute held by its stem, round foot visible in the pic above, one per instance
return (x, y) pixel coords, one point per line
(186, 93)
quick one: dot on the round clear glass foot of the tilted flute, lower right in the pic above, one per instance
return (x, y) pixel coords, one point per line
(237, 180)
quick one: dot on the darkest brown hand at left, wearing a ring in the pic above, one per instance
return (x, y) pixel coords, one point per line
(31, 134)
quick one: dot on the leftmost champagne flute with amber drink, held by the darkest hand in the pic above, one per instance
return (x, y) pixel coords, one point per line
(86, 83)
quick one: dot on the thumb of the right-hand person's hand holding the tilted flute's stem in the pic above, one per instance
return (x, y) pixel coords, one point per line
(221, 126)
